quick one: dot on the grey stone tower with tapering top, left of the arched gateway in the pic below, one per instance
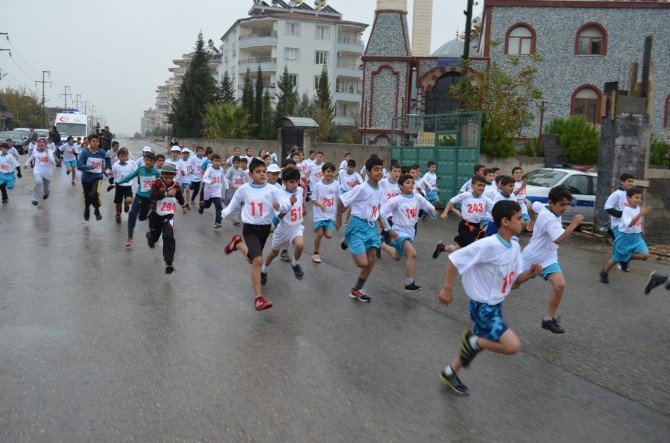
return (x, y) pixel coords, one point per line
(387, 67)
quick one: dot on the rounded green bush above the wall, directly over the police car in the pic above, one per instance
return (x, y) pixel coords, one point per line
(578, 138)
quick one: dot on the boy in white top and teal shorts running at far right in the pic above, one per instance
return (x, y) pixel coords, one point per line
(628, 244)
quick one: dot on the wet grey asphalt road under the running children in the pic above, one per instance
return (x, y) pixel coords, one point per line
(97, 343)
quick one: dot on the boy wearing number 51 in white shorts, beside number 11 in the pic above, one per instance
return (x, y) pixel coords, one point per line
(290, 230)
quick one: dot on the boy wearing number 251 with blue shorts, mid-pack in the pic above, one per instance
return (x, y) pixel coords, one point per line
(324, 199)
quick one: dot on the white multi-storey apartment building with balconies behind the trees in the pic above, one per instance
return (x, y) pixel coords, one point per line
(304, 39)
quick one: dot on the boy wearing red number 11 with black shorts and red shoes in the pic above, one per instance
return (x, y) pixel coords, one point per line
(260, 203)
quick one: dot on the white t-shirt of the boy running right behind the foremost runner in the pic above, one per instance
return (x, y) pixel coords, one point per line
(542, 248)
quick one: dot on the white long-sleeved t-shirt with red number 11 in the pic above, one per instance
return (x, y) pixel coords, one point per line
(259, 202)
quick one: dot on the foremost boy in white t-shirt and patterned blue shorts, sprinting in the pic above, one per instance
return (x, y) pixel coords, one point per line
(490, 268)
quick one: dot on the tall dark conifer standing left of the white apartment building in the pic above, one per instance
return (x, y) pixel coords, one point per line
(198, 88)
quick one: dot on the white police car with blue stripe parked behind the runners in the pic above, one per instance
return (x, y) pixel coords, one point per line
(581, 182)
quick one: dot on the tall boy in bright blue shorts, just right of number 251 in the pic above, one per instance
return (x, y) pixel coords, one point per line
(361, 235)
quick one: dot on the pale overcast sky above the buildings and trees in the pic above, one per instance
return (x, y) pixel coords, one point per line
(115, 53)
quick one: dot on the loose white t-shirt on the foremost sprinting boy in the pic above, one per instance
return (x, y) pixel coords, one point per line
(488, 268)
